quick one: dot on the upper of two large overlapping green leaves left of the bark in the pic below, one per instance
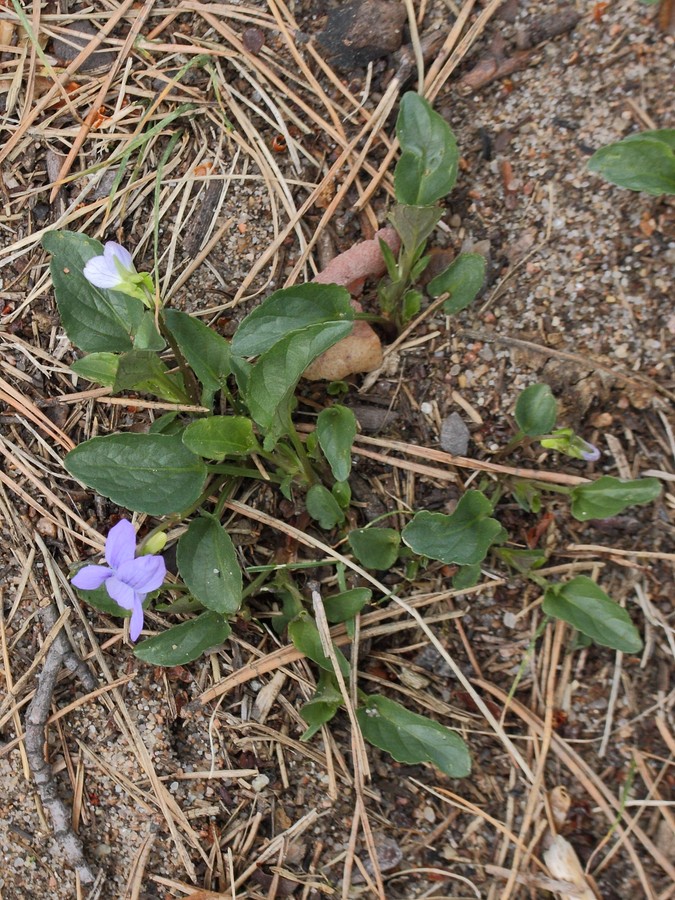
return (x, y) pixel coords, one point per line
(290, 310)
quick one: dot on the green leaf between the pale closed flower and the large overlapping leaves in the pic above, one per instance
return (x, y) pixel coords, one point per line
(206, 352)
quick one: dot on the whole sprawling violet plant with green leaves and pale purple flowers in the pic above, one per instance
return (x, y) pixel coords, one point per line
(233, 420)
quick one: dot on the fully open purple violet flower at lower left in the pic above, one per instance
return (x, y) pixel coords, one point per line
(128, 579)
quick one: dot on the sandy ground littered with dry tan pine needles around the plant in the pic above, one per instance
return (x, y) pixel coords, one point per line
(168, 793)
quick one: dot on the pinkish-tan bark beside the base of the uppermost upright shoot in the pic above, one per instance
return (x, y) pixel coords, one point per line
(360, 351)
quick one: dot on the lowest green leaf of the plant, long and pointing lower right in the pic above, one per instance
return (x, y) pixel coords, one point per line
(412, 739)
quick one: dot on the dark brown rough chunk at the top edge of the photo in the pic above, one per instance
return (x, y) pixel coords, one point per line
(358, 33)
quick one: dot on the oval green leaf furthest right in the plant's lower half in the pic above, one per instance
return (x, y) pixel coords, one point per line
(586, 607)
